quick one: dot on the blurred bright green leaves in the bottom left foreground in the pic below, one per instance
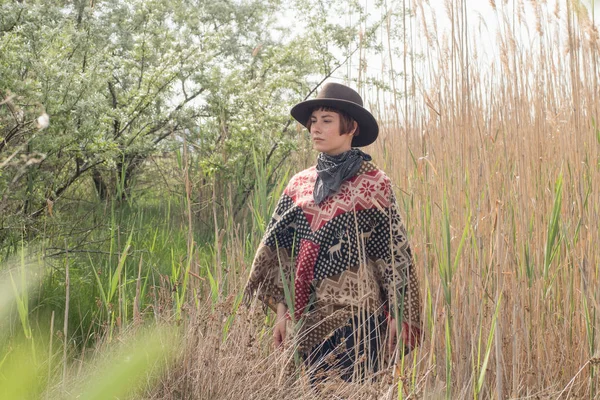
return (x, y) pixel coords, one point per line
(117, 372)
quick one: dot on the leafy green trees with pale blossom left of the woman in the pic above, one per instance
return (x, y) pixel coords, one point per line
(121, 81)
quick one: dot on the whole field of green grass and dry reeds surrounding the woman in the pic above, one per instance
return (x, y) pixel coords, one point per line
(496, 167)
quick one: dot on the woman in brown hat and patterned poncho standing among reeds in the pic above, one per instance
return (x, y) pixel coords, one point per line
(335, 261)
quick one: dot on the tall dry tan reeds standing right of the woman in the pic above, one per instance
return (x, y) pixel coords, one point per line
(494, 141)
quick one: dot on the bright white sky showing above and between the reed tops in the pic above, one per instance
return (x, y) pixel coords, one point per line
(483, 24)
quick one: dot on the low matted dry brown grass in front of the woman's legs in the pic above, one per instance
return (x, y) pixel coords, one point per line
(243, 364)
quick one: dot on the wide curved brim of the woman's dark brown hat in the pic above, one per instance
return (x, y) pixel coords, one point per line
(369, 130)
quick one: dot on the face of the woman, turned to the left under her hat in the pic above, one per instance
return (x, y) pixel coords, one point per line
(325, 133)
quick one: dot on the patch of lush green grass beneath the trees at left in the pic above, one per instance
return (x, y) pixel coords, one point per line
(108, 254)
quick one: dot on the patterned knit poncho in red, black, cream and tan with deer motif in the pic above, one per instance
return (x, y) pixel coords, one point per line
(347, 255)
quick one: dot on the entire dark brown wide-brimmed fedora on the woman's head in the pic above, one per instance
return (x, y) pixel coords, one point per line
(345, 99)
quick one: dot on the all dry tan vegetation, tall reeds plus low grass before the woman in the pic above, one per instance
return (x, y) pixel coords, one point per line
(491, 147)
